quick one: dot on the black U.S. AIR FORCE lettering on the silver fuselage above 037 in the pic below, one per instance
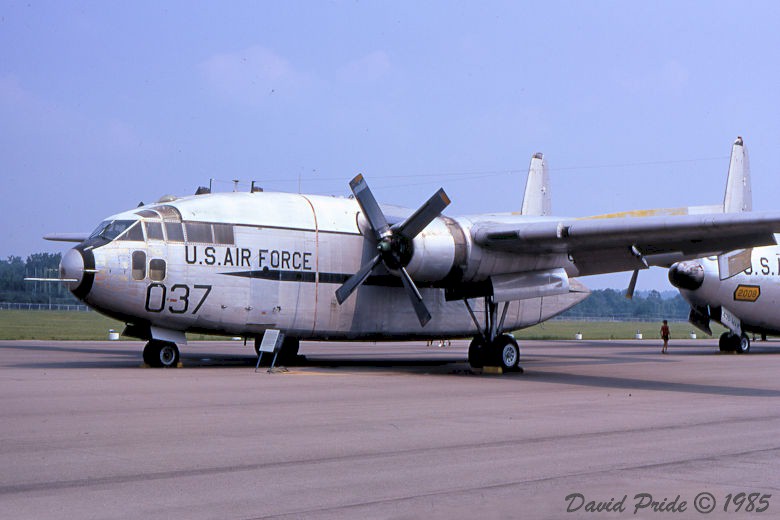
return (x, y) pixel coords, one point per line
(243, 257)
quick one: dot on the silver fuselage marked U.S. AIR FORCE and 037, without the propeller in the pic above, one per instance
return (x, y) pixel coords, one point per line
(241, 263)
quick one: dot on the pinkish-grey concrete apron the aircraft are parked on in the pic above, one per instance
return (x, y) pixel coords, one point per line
(393, 431)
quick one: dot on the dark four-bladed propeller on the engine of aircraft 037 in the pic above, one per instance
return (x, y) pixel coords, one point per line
(394, 244)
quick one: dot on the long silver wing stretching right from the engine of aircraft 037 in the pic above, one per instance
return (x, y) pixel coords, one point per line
(602, 245)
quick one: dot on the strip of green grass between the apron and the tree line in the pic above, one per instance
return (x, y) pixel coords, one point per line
(61, 325)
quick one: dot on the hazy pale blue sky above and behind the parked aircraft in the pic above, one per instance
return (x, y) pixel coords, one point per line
(635, 104)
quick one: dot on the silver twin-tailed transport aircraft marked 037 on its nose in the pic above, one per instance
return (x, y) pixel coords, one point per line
(331, 268)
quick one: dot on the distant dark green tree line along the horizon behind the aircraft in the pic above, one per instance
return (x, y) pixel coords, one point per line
(601, 303)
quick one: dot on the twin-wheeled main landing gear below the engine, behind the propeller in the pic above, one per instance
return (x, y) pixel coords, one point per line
(490, 348)
